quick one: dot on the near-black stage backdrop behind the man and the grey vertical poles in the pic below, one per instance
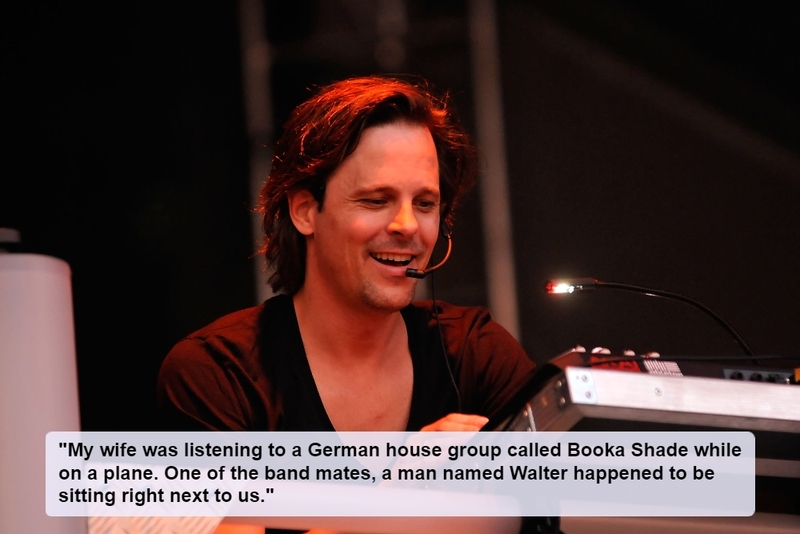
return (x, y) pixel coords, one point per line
(652, 144)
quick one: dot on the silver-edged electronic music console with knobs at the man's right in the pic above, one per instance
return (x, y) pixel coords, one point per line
(580, 391)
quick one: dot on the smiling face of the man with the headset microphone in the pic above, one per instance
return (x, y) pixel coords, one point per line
(380, 217)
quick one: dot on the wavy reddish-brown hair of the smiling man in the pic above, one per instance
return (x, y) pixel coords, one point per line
(324, 130)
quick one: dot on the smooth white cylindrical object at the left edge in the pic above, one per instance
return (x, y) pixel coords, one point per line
(38, 386)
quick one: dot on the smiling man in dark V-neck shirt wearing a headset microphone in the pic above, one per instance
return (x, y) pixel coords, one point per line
(363, 177)
